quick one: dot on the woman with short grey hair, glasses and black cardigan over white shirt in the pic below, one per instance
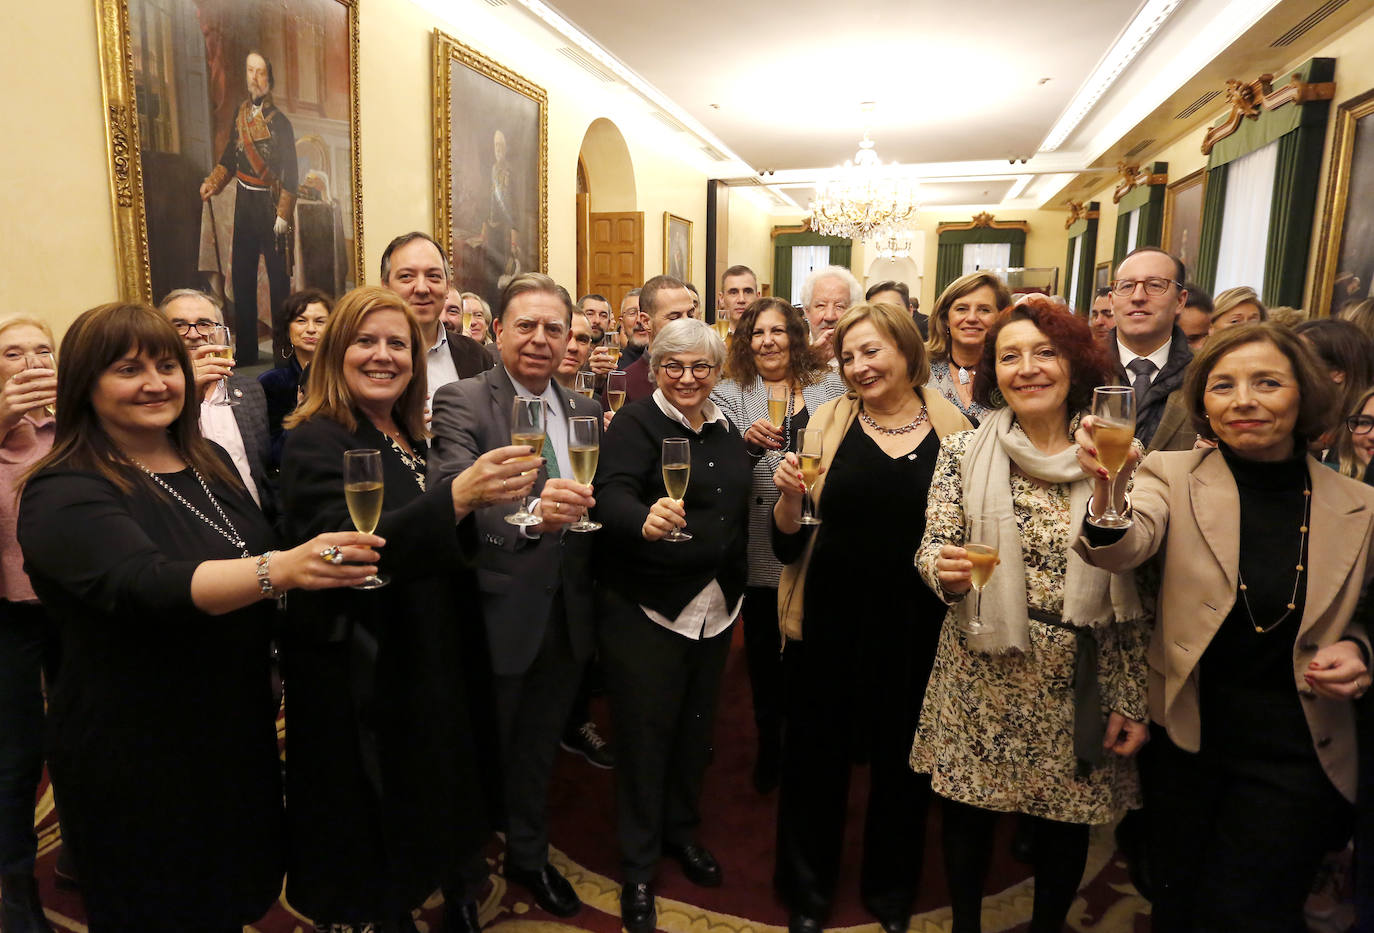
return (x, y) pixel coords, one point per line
(666, 629)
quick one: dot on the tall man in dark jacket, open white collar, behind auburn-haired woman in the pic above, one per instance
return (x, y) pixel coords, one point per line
(416, 269)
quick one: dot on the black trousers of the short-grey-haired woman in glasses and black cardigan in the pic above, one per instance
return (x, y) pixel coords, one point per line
(664, 689)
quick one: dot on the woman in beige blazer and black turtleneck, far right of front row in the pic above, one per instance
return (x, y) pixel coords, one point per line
(1257, 655)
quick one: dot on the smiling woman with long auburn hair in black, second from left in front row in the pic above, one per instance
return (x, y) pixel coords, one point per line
(388, 745)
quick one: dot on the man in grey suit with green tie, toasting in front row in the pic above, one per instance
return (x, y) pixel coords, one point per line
(535, 583)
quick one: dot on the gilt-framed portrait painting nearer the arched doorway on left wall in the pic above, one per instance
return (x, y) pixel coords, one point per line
(491, 130)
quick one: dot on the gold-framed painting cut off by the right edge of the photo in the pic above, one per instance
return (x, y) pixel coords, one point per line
(1339, 258)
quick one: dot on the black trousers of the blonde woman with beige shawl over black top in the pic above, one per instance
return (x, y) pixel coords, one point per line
(824, 717)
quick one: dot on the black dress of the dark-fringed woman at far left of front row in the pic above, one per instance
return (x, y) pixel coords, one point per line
(163, 737)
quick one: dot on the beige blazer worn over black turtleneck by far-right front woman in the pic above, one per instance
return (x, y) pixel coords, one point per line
(1186, 506)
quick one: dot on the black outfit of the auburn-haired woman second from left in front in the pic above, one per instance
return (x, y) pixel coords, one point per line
(384, 798)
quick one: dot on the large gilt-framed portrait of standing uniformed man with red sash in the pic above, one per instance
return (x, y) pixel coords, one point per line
(234, 153)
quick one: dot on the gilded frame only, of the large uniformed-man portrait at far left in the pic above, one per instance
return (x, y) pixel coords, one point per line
(122, 131)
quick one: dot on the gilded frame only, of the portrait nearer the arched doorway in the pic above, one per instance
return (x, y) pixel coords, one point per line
(449, 50)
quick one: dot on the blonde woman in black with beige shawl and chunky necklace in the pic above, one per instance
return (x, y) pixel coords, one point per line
(858, 679)
